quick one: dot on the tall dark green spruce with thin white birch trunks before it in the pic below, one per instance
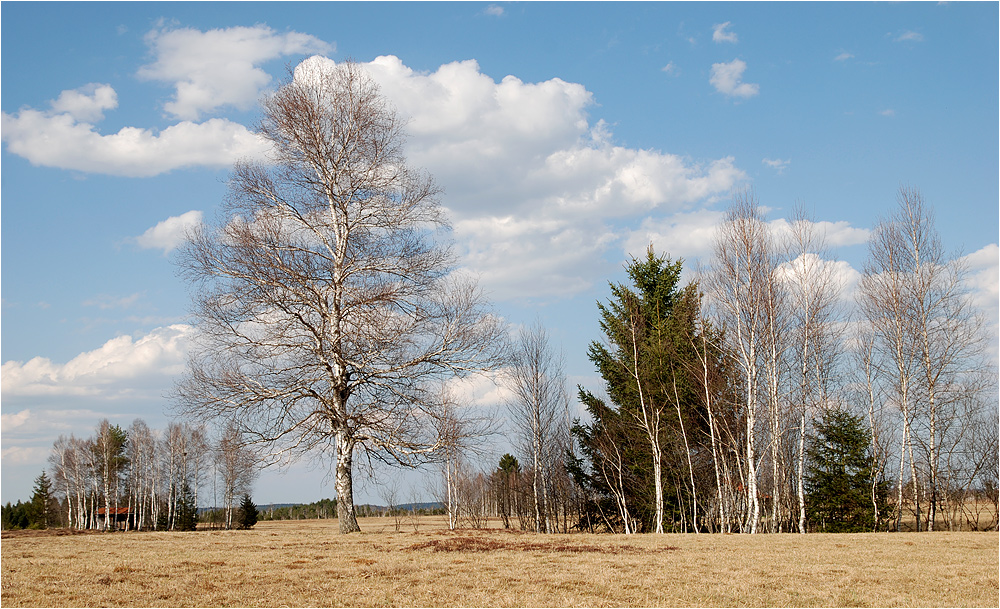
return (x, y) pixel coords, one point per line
(650, 331)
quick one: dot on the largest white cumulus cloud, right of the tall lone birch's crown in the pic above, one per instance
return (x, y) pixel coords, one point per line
(538, 191)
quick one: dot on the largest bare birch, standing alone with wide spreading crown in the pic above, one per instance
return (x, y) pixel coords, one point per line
(326, 299)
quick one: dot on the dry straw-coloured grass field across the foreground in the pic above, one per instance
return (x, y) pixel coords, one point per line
(305, 563)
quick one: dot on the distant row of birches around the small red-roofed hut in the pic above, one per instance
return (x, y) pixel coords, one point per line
(138, 478)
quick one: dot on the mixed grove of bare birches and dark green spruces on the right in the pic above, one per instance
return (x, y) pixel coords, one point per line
(755, 398)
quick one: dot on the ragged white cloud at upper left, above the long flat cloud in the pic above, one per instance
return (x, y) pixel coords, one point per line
(219, 67)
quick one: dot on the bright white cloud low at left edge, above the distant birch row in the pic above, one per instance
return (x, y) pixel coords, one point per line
(117, 369)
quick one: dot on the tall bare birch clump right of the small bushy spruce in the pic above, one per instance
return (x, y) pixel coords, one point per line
(926, 333)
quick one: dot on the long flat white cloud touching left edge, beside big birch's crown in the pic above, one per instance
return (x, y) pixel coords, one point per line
(60, 140)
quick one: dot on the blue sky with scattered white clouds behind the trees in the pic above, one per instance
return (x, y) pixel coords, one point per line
(566, 136)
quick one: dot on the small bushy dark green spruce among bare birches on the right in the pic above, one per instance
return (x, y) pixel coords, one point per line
(841, 474)
